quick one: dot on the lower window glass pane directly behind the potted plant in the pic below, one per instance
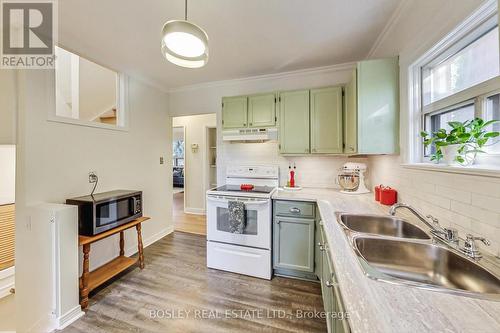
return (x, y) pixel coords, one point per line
(437, 121)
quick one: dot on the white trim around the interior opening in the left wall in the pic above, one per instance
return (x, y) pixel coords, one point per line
(121, 99)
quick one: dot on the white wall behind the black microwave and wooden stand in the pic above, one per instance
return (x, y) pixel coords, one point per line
(54, 160)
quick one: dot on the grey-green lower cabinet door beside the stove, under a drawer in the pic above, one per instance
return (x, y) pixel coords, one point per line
(294, 244)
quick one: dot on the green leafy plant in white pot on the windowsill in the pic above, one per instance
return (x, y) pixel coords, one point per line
(462, 143)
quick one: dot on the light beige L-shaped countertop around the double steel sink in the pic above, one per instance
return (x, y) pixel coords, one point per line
(376, 306)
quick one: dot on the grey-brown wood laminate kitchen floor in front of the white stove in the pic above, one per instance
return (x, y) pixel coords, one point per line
(177, 282)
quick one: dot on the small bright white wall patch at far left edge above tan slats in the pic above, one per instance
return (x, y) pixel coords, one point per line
(7, 174)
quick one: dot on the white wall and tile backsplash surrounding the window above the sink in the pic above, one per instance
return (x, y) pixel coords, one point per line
(469, 203)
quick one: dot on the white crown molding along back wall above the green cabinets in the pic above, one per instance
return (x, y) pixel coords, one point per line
(289, 74)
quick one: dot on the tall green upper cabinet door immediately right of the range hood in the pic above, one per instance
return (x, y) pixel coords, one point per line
(294, 122)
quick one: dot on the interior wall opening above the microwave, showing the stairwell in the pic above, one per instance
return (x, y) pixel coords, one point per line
(86, 93)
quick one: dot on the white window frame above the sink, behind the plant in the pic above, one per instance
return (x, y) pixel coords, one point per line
(473, 28)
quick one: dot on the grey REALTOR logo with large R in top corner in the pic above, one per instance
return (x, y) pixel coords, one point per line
(28, 33)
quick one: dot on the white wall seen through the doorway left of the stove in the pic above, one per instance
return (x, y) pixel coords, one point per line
(195, 163)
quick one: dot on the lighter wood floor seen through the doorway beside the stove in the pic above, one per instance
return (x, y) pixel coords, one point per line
(191, 223)
